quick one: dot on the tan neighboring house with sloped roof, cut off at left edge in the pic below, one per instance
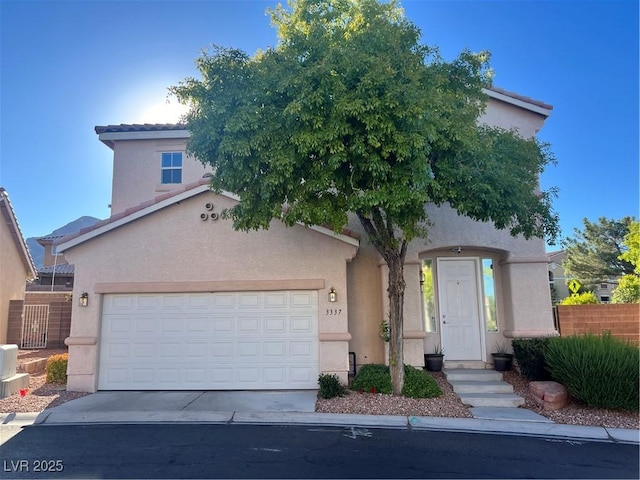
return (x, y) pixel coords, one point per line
(16, 264)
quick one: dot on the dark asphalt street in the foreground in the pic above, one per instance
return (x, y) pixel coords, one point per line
(304, 451)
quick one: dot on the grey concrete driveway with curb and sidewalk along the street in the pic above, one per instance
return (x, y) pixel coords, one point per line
(291, 408)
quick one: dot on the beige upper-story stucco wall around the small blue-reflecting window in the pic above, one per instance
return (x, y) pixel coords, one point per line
(137, 170)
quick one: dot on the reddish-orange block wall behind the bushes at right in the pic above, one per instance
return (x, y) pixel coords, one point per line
(623, 320)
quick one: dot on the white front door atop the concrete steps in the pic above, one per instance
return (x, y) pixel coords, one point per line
(460, 319)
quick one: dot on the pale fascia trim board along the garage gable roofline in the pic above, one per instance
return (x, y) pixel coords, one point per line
(159, 203)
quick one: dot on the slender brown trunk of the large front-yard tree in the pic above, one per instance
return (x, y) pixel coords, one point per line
(396, 322)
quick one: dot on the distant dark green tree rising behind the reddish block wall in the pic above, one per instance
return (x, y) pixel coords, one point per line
(596, 253)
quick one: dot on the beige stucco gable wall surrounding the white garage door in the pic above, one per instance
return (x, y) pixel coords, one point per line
(173, 246)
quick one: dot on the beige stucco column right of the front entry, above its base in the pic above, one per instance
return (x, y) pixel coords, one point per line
(527, 298)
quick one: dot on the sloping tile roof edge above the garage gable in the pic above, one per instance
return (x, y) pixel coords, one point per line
(188, 189)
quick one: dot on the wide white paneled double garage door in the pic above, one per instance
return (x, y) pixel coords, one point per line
(209, 341)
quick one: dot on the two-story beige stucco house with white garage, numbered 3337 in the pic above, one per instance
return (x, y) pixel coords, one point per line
(176, 299)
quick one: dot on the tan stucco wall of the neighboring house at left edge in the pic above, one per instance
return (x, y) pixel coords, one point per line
(13, 276)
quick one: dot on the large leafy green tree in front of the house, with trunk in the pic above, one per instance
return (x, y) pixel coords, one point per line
(349, 113)
